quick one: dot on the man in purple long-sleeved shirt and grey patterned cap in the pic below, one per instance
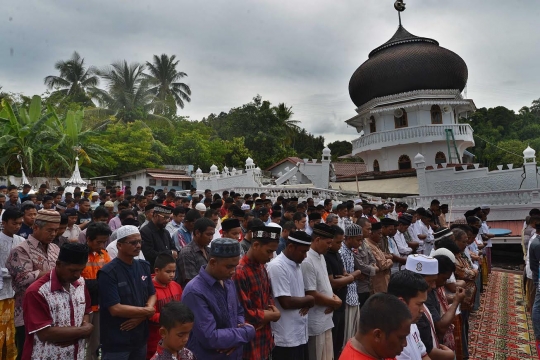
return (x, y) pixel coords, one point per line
(219, 331)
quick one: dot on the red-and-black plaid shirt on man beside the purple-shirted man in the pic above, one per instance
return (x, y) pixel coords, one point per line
(255, 294)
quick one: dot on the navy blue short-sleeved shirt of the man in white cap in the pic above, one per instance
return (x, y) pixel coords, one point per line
(121, 283)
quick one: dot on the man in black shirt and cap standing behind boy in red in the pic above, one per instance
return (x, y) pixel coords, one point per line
(156, 239)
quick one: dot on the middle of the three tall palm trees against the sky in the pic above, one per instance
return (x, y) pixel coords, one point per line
(128, 96)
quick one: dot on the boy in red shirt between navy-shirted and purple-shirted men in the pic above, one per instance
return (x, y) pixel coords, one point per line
(167, 291)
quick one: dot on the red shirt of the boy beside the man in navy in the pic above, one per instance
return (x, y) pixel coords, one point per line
(164, 294)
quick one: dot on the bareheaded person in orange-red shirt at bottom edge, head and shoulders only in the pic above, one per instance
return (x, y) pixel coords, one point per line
(382, 333)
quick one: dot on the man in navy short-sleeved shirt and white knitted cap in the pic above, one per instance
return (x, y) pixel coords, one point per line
(127, 298)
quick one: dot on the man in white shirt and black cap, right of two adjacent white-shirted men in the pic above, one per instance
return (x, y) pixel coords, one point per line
(317, 284)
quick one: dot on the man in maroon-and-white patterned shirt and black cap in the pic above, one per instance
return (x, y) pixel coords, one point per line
(58, 324)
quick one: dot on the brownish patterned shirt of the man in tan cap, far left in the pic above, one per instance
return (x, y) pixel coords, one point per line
(24, 264)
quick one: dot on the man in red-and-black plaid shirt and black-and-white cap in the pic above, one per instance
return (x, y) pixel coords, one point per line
(255, 292)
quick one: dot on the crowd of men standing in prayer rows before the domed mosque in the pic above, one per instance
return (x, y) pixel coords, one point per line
(150, 275)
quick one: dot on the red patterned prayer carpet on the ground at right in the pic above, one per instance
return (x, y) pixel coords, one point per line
(502, 329)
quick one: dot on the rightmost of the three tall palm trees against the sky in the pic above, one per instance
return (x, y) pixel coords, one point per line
(164, 80)
